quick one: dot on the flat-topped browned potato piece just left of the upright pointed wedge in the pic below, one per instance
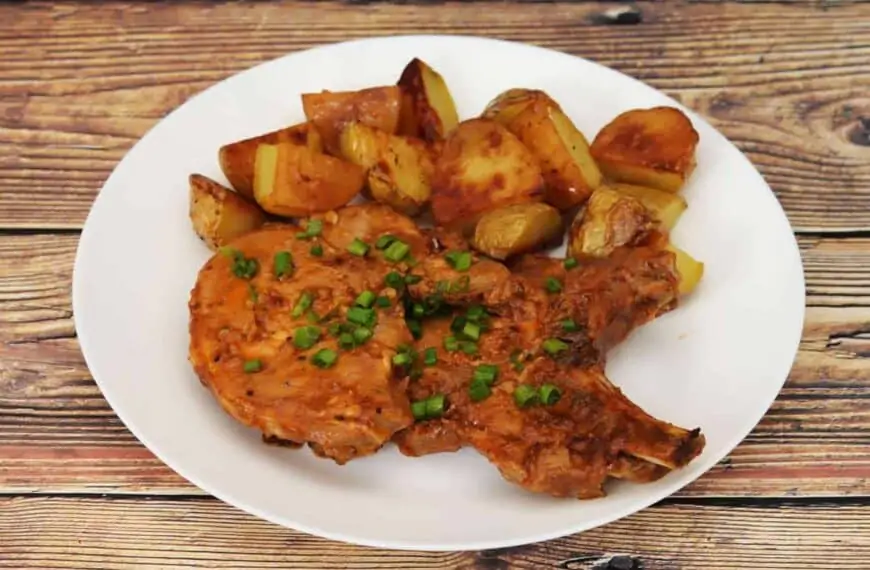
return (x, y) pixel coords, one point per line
(377, 107)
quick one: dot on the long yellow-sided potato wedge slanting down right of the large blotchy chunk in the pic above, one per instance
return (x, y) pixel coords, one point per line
(569, 171)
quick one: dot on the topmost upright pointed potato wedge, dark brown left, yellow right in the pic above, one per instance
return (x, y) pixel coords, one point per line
(428, 110)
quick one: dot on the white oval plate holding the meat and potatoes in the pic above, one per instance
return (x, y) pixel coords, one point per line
(717, 362)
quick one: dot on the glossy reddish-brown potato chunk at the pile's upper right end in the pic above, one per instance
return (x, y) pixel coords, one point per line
(650, 147)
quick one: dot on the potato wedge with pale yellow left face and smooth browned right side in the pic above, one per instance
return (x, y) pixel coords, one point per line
(292, 180)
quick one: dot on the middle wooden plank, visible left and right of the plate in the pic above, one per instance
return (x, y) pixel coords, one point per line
(58, 434)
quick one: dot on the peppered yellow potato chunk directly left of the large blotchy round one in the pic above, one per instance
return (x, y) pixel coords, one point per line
(399, 169)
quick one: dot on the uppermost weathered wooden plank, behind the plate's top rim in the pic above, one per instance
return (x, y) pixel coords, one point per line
(790, 84)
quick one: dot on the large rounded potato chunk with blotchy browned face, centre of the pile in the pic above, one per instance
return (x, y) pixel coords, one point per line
(482, 167)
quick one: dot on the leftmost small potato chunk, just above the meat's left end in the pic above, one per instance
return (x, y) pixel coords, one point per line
(218, 214)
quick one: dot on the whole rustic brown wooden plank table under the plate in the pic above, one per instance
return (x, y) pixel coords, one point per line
(789, 83)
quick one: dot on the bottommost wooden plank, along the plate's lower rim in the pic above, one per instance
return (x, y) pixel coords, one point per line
(111, 533)
